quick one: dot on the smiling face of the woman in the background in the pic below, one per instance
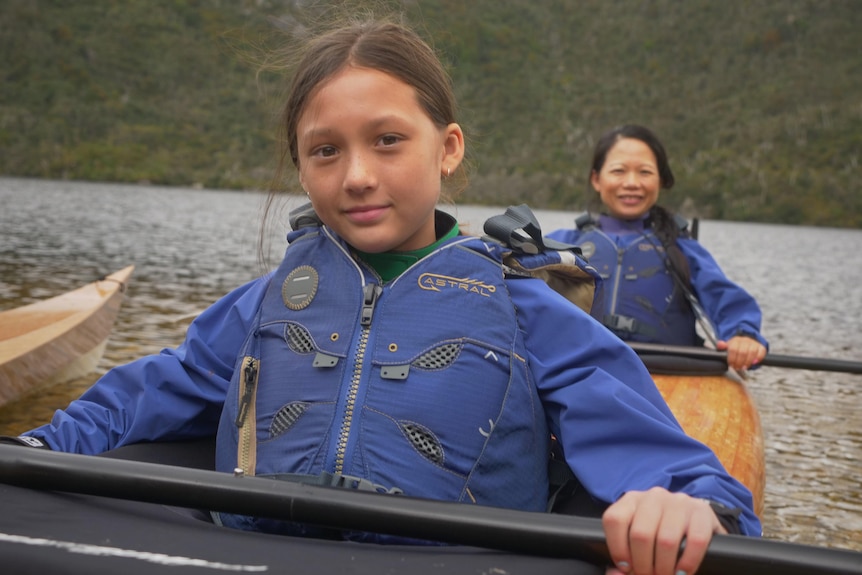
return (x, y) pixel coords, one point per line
(628, 182)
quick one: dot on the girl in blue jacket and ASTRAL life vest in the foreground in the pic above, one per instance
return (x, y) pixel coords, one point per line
(390, 350)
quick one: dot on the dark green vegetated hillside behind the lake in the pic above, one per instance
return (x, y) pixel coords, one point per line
(759, 102)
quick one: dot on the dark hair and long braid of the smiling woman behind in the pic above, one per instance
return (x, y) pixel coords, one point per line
(661, 219)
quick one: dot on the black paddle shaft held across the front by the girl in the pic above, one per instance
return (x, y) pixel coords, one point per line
(457, 523)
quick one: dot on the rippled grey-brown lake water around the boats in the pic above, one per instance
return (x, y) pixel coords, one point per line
(192, 246)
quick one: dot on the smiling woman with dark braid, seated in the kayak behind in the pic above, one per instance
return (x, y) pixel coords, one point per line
(656, 278)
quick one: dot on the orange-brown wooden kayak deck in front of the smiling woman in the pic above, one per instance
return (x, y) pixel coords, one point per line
(714, 407)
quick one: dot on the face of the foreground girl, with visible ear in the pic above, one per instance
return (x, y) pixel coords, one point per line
(372, 160)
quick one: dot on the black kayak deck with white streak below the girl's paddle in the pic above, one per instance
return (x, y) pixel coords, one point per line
(64, 533)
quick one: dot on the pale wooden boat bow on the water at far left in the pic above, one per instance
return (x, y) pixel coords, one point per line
(58, 339)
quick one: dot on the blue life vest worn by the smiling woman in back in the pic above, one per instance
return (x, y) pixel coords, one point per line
(641, 300)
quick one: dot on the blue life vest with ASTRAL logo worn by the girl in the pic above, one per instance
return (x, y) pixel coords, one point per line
(419, 386)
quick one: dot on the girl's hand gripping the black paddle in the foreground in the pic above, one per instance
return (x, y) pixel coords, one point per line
(644, 531)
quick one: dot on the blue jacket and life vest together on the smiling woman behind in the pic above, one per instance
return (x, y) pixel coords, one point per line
(645, 299)
